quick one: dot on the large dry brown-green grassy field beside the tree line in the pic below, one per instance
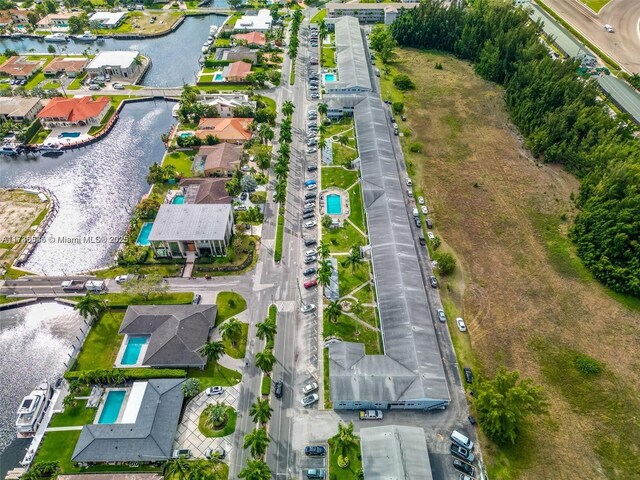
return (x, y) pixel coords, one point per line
(528, 302)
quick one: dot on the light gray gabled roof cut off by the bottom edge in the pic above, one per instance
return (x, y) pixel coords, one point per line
(394, 452)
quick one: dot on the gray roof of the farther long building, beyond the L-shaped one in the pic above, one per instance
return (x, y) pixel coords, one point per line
(353, 66)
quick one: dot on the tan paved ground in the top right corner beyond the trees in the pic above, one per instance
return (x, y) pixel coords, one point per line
(623, 15)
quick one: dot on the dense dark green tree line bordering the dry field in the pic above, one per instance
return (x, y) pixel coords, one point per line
(560, 117)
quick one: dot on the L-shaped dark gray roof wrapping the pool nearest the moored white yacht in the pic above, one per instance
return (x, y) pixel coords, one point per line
(150, 438)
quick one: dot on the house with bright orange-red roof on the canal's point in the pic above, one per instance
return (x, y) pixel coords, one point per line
(74, 112)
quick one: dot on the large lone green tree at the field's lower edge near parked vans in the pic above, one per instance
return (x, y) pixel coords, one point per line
(504, 403)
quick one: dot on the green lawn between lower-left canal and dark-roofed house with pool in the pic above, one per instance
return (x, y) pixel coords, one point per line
(101, 346)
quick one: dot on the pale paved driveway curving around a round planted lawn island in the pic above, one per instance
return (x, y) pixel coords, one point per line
(189, 435)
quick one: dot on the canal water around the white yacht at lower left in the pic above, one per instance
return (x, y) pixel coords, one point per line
(35, 342)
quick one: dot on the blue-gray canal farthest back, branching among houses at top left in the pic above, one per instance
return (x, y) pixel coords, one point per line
(174, 57)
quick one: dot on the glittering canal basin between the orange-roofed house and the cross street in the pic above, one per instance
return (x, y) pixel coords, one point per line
(97, 188)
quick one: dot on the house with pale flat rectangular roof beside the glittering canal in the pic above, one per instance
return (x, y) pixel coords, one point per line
(199, 230)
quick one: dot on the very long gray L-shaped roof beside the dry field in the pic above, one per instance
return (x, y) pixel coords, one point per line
(412, 367)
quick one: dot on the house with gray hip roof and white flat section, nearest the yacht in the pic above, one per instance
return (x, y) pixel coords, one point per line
(144, 428)
